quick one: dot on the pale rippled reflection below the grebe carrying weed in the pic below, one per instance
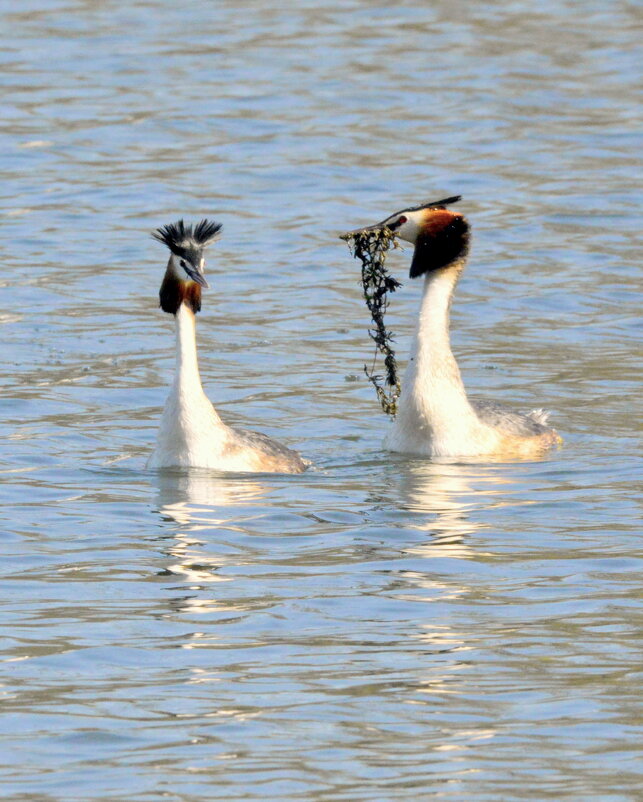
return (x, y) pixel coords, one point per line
(444, 501)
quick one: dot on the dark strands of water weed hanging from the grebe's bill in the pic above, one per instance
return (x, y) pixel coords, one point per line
(370, 247)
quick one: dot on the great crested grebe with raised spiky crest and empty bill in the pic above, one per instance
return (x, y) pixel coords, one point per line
(191, 433)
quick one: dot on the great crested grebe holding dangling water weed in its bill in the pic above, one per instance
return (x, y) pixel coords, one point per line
(435, 418)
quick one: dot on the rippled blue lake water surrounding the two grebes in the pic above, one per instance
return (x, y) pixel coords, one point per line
(379, 628)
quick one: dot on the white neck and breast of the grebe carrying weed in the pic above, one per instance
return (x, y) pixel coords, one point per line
(433, 405)
